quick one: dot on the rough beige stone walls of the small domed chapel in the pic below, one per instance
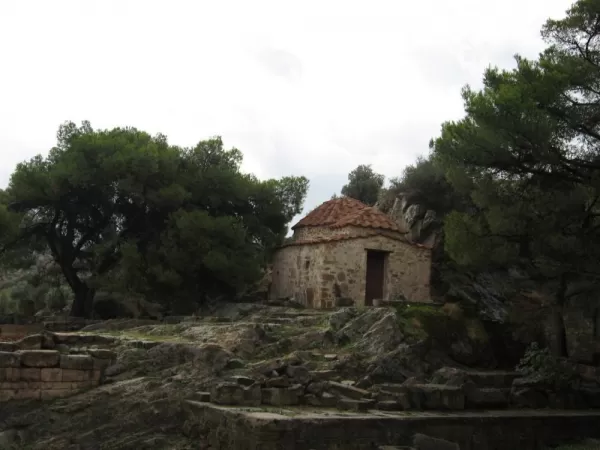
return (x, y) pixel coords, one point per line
(323, 274)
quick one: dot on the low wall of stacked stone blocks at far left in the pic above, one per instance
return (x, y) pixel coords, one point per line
(43, 374)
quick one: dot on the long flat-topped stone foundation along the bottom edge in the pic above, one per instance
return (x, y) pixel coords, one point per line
(303, 429)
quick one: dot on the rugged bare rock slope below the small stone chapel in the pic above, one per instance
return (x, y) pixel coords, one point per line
(321, 356)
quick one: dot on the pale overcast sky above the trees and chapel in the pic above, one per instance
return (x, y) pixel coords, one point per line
(310, 88)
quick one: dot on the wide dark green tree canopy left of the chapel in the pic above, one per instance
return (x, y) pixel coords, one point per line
(125, 209)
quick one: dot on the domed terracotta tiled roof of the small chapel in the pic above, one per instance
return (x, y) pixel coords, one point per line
(346, 211)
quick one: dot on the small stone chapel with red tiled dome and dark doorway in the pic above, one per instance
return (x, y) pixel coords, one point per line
(345, 252)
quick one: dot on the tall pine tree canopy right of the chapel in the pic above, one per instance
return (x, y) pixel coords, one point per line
(527, 155)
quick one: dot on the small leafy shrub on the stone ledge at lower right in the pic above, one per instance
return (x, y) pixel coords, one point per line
(539, 364)
